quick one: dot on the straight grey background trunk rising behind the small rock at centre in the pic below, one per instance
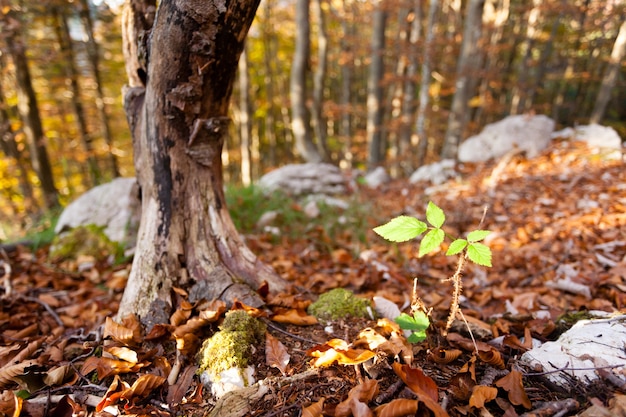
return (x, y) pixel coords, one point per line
(375, 90)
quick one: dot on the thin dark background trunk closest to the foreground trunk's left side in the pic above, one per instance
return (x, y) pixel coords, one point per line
(94, 59)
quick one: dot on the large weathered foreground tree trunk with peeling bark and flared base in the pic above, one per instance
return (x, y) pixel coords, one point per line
(179, 123)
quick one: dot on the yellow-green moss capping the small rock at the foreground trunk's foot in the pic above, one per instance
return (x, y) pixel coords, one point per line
(233, 345)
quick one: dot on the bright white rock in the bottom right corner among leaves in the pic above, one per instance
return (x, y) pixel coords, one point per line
(588, 345)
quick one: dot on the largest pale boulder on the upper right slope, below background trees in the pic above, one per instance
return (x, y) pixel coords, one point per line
(527, 133)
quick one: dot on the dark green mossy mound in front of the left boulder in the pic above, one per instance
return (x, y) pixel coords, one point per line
(87, 240)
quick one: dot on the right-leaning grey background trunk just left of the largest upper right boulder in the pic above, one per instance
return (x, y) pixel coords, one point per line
(459, 112)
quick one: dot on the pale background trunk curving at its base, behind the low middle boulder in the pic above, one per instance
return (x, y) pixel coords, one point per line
(300, 118)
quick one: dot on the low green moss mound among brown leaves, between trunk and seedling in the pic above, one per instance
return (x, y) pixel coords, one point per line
(340, 303)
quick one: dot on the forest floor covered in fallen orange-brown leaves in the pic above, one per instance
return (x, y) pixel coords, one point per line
(62, 355)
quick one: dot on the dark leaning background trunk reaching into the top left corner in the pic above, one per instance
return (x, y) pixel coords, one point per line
(11, 27)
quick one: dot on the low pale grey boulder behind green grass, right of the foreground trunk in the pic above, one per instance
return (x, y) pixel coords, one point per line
(303, 179)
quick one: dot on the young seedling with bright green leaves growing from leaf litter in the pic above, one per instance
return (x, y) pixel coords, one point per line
(404, 228)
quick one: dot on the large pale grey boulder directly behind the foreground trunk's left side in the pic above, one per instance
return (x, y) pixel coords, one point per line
(114, 205)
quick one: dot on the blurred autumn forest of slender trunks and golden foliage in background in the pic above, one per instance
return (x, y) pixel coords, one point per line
(394, 83)
